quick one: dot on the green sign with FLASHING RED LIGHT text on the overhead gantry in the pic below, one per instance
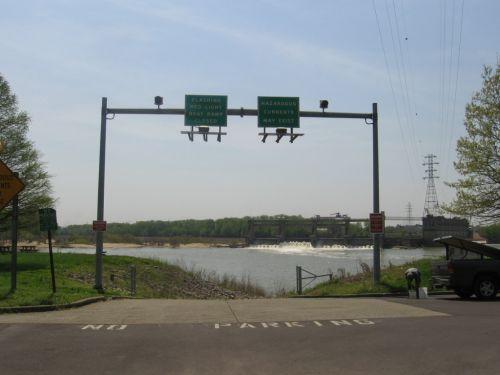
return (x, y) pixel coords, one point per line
(205, 110)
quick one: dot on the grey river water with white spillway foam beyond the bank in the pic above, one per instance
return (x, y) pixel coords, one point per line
(272, 266)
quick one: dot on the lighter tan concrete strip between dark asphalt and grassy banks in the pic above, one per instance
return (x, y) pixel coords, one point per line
(164, 311)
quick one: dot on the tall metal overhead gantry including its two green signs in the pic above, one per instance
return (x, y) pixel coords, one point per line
(203, 112)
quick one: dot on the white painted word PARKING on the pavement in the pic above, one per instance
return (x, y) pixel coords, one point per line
(335, 323)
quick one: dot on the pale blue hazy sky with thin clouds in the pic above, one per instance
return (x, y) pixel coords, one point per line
(420, 61)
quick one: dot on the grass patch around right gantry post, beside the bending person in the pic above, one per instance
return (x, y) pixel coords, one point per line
(392, 280)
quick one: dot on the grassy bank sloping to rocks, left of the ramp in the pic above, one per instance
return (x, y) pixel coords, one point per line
(75, 280)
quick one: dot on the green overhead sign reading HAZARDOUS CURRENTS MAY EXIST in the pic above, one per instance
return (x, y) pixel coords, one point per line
(278, 112)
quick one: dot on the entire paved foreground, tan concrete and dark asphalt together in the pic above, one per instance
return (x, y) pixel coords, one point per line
(295, 336)
